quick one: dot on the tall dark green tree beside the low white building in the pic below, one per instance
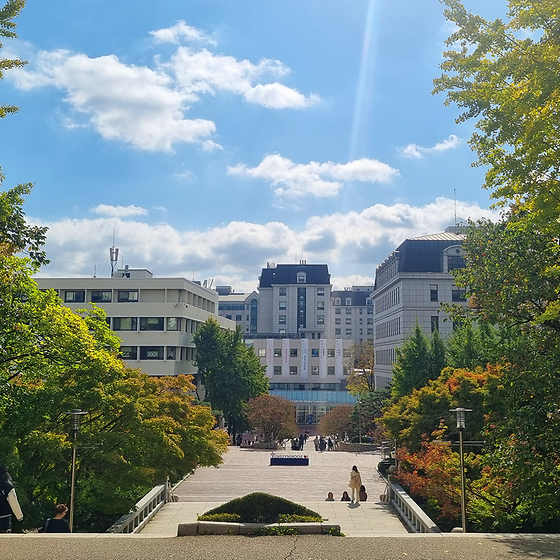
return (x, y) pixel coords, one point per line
(231, 372)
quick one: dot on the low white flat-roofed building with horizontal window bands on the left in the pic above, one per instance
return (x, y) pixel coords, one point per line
(156, 318)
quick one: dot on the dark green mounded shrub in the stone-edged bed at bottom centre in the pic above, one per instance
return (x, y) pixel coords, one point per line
(259, 507)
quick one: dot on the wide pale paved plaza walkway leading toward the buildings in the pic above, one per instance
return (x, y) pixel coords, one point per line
(245, 471)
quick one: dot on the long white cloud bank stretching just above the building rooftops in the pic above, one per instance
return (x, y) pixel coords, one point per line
(352, 244)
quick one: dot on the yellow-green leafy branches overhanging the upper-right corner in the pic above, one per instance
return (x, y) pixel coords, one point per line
(505, 74)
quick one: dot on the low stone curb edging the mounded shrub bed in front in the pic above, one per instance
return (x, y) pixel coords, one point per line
(221, 528)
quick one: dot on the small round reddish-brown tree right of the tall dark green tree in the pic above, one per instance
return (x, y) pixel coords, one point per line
(273, 416)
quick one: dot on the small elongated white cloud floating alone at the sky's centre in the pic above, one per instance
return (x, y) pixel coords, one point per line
(315, 179)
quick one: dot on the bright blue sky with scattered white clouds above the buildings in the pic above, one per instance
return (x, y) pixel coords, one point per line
(212, 136)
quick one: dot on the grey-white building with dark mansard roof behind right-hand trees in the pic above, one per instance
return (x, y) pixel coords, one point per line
(410, 286)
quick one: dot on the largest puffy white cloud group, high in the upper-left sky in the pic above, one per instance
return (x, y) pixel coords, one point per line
(146, 106)
